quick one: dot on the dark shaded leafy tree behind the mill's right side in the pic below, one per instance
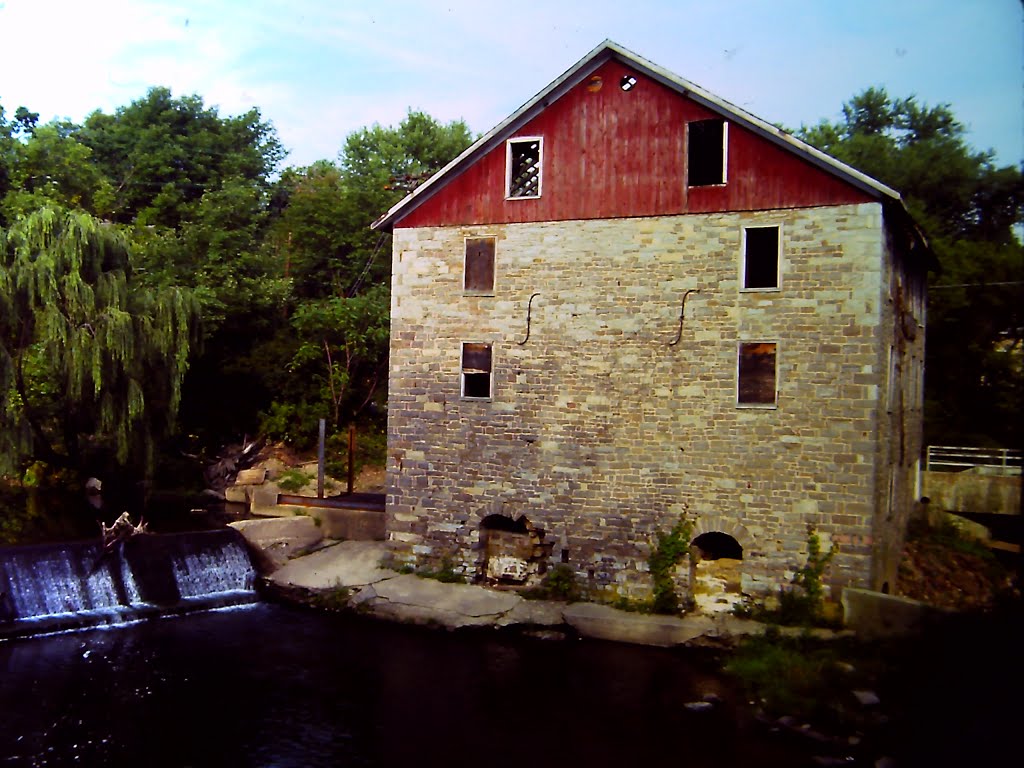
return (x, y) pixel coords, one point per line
(969, 208)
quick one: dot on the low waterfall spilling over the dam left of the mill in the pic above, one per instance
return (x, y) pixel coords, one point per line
(51, 587)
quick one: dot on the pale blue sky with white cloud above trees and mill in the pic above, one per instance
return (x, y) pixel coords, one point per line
(320, 70)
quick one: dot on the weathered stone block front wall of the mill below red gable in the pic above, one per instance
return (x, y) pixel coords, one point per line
(602, 431)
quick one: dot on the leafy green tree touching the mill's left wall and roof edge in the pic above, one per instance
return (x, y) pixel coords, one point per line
(337, 343)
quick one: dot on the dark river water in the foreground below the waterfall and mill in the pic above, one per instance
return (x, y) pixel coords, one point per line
(276, 686)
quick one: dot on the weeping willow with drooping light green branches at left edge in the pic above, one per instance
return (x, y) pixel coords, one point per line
(91, 364)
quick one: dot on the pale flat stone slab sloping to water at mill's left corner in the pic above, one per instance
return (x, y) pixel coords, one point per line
(344, 565)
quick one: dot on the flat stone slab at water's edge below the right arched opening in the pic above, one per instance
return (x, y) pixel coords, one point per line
(605, 623)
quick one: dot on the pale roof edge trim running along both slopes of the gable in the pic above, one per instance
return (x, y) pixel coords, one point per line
(607, 52)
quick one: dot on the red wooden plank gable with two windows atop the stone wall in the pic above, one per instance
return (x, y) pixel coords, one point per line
(611, 153)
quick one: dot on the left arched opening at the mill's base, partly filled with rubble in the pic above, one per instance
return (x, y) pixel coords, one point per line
(514, 549)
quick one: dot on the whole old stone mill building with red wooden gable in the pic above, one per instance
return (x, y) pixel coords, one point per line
(632, 302)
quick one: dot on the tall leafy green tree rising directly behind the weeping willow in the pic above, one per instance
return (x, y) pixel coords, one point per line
(196, 187)
